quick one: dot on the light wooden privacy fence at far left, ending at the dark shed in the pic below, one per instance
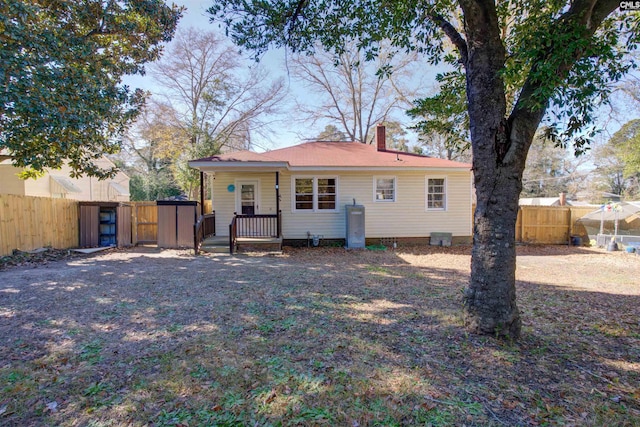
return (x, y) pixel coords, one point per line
(28, 223)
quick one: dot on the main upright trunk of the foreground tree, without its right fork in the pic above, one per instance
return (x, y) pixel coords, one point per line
(490, 300)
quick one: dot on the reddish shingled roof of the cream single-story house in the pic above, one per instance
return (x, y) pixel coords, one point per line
(327, 155)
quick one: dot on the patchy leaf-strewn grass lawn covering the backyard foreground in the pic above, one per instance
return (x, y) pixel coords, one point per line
(315, 337)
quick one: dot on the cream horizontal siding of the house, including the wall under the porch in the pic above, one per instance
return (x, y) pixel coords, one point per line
(406, 217)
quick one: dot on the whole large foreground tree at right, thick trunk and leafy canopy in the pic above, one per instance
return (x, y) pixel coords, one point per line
(557, 57)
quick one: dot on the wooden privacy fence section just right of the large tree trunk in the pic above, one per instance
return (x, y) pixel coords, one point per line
(551, 225)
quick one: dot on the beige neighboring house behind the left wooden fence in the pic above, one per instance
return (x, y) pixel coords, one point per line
(58, 183)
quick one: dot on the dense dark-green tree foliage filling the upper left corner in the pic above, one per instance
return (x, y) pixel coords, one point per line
(61, 65)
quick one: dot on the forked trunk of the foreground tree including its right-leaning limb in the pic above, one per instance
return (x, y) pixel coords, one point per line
(500, 146)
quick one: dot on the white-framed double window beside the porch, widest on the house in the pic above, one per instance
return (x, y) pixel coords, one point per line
(315, 194)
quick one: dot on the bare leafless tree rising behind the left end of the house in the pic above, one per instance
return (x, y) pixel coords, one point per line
(212, 102)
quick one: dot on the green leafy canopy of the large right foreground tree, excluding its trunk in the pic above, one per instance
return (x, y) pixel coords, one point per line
(543, 43)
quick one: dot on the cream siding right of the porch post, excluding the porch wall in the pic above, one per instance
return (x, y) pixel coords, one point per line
(404, 218)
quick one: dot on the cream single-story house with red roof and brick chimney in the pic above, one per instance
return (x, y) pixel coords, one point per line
(306, 189)
